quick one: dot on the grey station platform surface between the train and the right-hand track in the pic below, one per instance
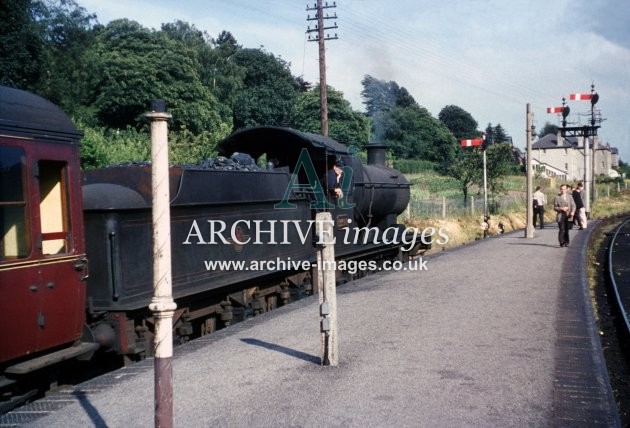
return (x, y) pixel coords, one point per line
(495, 333)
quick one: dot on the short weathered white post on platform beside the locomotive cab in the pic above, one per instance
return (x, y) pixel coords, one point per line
(326, 283)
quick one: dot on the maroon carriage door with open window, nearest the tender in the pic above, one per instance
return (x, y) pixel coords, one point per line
(60, 289)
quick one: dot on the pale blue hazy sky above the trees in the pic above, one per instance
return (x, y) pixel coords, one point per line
(489, 57)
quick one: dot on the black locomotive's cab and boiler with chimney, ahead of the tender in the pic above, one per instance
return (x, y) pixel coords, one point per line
(373, 194)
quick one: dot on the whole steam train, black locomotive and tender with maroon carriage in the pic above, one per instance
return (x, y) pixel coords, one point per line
(75, 248)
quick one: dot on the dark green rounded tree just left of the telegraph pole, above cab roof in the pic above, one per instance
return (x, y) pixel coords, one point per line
(269, 93)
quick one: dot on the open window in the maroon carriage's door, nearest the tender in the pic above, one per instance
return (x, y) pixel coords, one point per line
(53, 208)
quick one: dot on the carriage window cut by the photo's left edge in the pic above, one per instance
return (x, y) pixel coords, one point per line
(14, 231)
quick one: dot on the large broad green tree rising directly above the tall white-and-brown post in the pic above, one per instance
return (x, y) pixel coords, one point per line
(131, 65)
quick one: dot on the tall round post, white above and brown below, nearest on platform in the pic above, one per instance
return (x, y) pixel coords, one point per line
(162, 304)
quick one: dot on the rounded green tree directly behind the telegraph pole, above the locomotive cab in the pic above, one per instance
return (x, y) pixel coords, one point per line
(345, 125)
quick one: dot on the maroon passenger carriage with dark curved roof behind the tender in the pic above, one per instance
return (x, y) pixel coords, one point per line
(42, 255)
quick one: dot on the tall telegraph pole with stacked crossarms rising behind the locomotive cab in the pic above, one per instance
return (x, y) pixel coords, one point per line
(320, 37)
